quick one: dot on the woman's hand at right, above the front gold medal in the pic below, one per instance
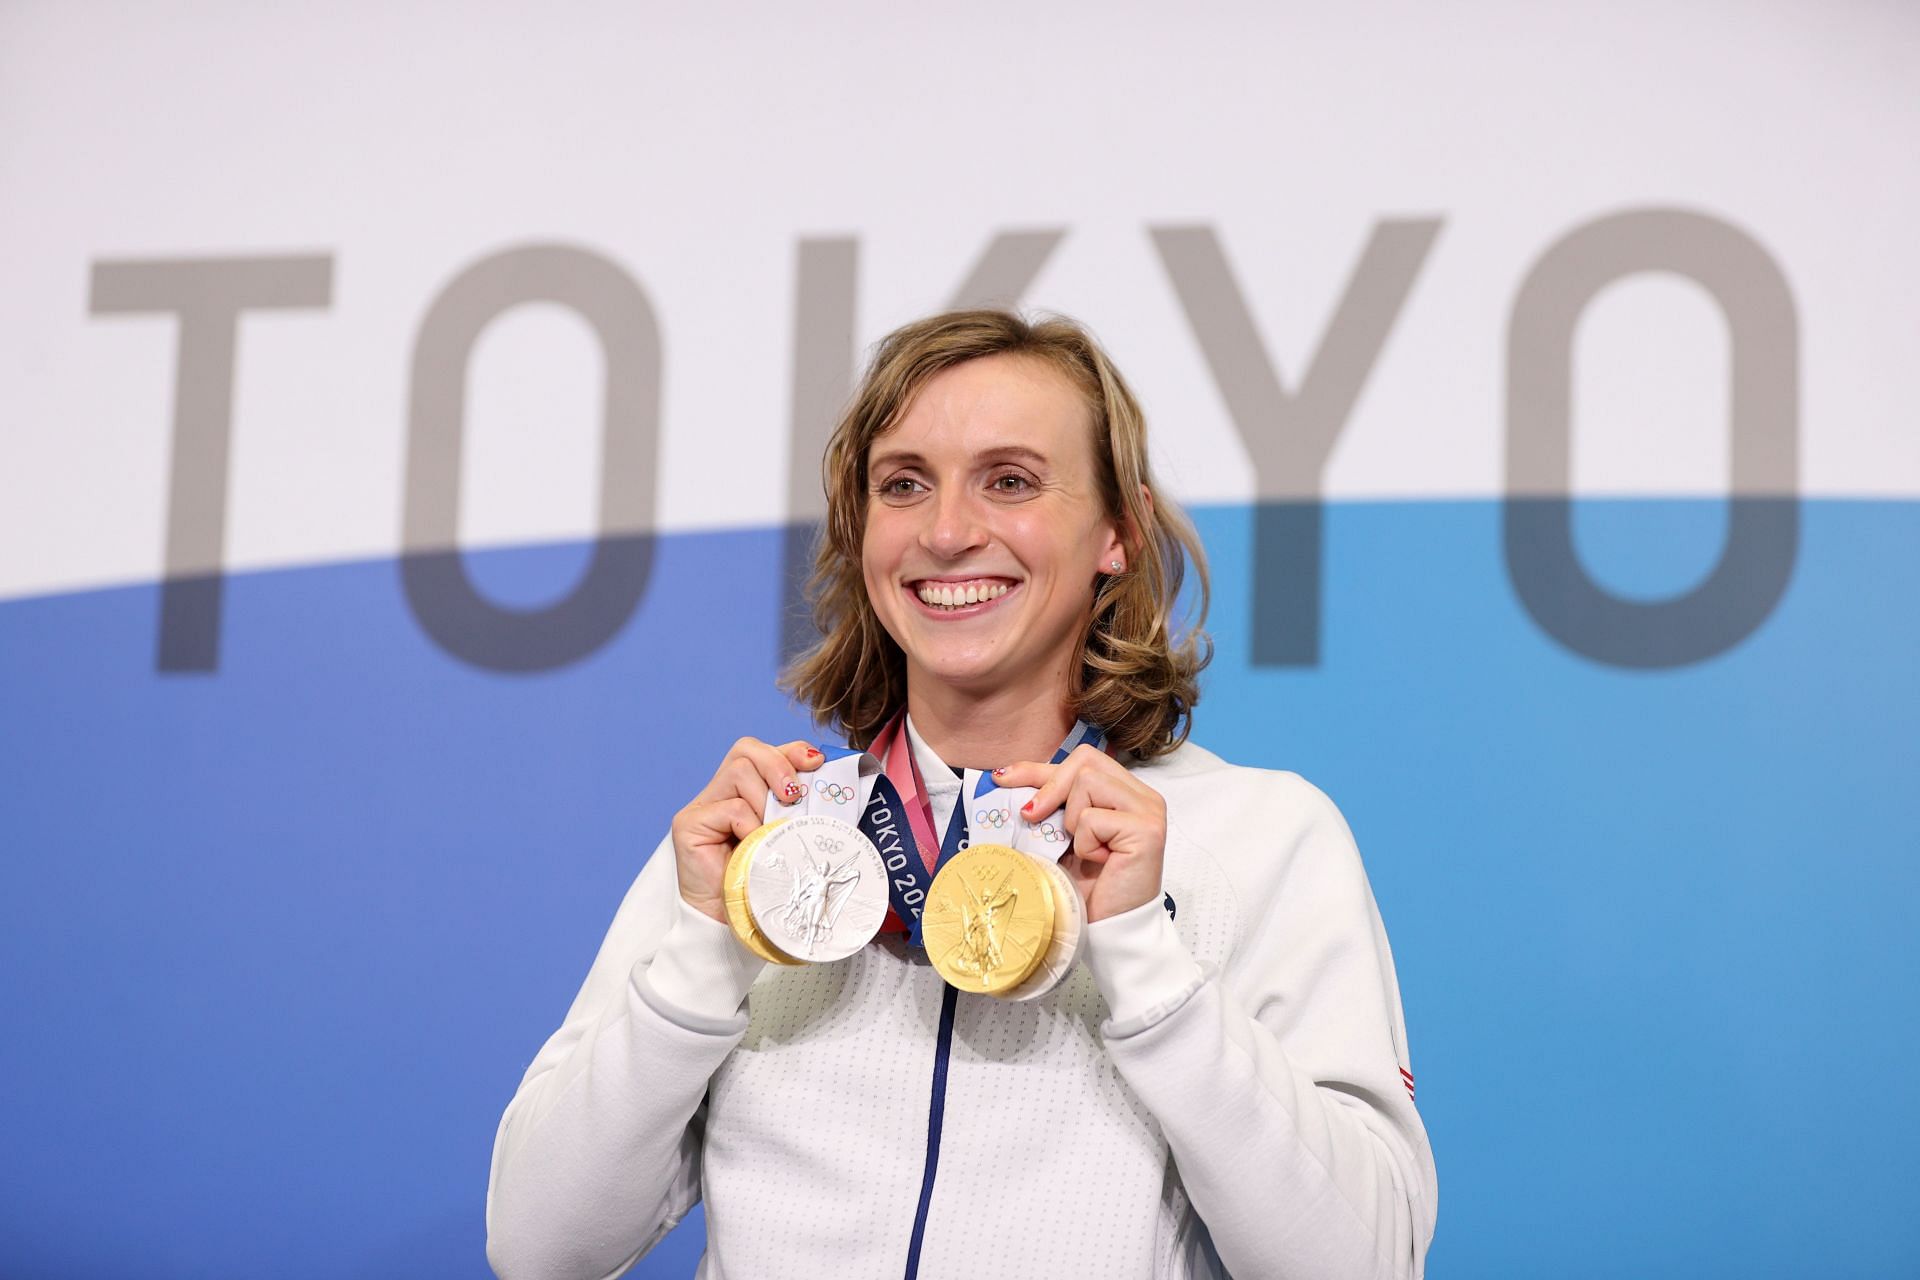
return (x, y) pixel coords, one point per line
(1118, 826)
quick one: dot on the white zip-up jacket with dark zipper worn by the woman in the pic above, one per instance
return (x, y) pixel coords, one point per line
(1209, 1093)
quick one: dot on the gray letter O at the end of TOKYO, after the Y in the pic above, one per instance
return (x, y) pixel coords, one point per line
(1764, 400)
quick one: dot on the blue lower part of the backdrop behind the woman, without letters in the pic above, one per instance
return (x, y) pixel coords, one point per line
(279, 941)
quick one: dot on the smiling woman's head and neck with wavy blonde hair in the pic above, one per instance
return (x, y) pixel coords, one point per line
(996, 460)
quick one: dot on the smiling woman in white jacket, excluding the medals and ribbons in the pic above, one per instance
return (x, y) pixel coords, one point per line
(1220, 1085)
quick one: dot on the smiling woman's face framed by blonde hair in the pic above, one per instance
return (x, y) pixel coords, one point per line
(986, 529)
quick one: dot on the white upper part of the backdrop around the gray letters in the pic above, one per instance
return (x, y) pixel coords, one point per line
(698, 147)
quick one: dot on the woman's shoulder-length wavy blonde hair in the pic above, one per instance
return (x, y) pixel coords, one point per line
(1134, 675)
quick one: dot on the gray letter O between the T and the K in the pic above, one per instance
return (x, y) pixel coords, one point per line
(437, 584)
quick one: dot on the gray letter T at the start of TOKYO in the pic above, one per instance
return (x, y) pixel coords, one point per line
(208, 296)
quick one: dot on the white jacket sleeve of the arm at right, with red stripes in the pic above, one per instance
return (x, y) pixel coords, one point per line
(1278, 1081)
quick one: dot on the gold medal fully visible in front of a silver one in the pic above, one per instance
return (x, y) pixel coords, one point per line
(990, 920)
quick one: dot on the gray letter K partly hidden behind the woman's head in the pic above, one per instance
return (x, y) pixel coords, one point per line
(827, 275)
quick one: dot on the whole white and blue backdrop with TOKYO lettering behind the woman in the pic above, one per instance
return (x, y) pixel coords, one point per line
(410, 423)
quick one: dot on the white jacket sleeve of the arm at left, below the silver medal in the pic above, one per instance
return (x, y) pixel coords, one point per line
(600, 1152)
